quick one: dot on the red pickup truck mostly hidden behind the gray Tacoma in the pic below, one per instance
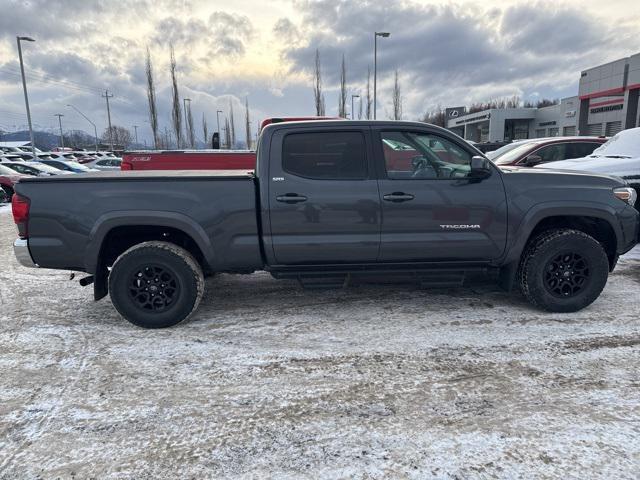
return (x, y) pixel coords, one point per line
(200, 159)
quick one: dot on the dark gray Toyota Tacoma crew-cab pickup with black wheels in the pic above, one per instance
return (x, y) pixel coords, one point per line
(330, 201)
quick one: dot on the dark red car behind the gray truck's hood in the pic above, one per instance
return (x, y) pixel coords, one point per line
(546, 150)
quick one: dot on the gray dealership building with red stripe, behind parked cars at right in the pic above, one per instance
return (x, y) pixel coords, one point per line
(607, 102)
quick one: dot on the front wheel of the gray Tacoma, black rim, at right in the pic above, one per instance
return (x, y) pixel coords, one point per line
(563, 270)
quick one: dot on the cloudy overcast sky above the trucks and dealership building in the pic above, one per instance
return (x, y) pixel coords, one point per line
(447, 54)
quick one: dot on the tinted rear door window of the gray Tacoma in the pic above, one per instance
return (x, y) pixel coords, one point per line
(325, 155)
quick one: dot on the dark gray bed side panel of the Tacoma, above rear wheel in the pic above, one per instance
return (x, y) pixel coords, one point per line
(71, 216)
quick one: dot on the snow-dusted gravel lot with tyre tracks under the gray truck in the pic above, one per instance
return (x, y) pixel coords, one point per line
(268, 380)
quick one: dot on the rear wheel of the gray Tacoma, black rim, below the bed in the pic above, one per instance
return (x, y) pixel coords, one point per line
(156, 284)
